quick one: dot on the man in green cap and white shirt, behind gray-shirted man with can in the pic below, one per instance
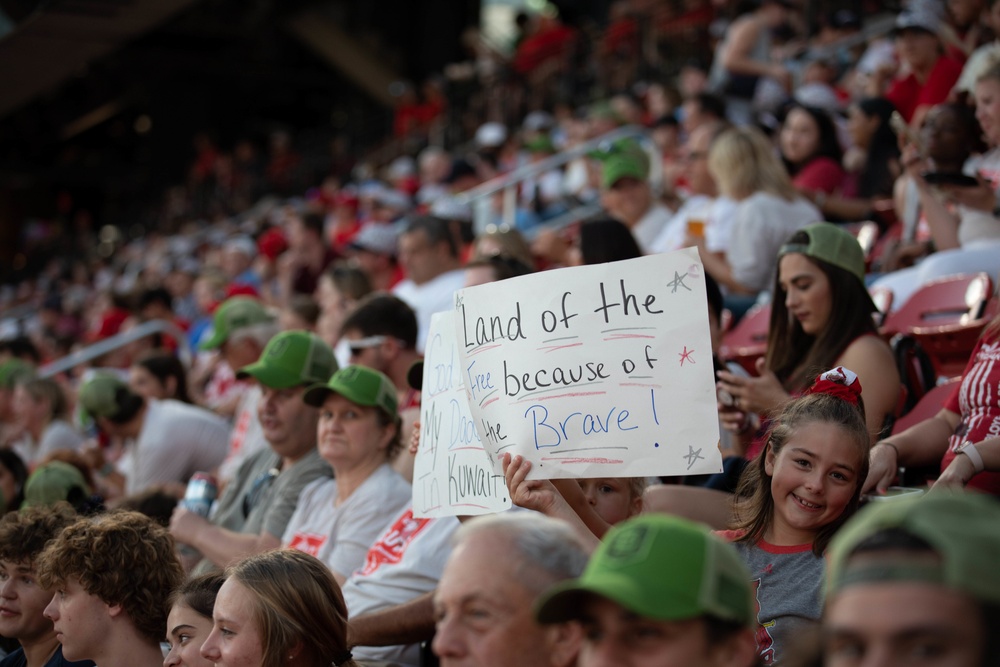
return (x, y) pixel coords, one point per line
(241, 328)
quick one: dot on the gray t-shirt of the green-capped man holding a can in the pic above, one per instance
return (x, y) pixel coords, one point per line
(274, 501)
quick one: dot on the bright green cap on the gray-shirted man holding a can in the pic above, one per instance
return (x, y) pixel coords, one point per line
(290, 359)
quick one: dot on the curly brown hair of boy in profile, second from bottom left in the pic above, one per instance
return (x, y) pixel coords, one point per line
(124, 558)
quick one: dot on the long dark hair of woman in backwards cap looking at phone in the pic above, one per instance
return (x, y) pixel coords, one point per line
(795, 356)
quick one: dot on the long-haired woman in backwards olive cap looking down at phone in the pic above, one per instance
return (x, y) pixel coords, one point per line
(821, 317)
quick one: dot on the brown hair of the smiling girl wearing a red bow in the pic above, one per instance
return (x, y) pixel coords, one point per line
(754, 505)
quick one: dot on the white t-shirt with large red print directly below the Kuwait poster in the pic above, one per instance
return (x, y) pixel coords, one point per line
(405, 562)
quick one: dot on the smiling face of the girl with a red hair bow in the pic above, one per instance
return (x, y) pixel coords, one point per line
(813, 478)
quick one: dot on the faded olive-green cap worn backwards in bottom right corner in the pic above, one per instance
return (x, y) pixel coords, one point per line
(961, 528)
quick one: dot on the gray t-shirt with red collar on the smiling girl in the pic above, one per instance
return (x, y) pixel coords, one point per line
(788, 590)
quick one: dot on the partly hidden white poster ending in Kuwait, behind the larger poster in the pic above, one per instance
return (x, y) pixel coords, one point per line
(452, 475)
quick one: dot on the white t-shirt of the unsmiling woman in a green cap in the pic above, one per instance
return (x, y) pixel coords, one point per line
(340, 536)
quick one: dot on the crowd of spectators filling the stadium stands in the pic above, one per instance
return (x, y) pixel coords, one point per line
(296, 314)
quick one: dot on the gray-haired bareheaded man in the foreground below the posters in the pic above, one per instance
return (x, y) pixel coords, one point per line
(499, 566)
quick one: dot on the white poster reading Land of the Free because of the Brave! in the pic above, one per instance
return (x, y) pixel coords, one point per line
(594, 371)
